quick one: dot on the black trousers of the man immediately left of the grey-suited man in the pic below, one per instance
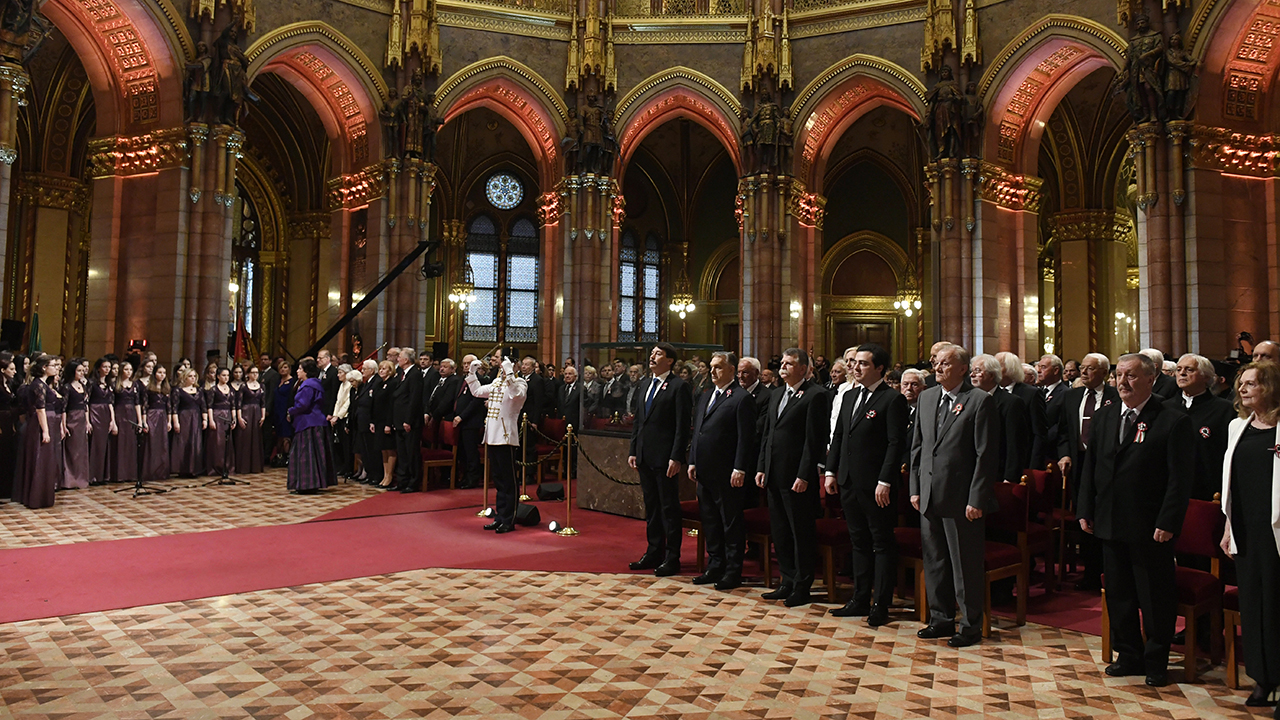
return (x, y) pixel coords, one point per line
(875, 549)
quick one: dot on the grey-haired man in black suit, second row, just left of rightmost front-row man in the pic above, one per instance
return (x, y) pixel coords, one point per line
(1076, 417)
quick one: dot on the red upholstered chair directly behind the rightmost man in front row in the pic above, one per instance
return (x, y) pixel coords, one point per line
(1199, 593)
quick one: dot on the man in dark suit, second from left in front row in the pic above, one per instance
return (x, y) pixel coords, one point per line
(720, 459)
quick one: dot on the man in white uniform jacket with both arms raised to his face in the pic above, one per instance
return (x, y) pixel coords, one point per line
(504, 399)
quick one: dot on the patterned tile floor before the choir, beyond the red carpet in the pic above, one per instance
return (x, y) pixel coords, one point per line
(98, 513)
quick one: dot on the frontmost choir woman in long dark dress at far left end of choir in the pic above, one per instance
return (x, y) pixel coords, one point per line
(43, 446)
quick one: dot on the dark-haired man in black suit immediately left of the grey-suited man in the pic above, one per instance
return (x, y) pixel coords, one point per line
(865, 464)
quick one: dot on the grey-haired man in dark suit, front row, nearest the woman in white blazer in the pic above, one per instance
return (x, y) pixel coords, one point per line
(1135, 490)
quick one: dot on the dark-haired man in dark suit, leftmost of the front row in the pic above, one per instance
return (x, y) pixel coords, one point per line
(660, 439)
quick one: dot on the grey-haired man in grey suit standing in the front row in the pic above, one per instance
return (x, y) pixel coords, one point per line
(956, 464)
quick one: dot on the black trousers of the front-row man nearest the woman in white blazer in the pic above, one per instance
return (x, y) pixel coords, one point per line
(1141, 576)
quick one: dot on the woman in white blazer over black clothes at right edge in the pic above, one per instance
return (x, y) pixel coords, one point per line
(1251, 500)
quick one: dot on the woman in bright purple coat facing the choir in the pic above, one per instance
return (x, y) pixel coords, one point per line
(312, 457)
